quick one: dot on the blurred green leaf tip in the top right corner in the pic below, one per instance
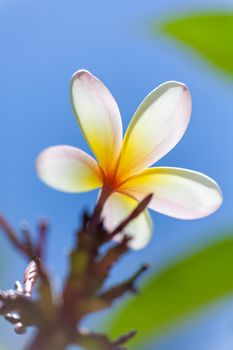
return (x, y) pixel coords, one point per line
(210, 34)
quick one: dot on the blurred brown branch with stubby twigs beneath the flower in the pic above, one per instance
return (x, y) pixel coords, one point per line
(57, 319)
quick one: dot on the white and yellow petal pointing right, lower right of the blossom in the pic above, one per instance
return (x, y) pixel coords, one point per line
(179, 193)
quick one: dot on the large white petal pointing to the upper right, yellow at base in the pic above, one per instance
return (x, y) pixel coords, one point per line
(157, 126)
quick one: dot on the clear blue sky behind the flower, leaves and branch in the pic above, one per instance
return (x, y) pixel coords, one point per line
(43, 43)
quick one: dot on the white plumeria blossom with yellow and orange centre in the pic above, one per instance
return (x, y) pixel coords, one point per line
(122, 166)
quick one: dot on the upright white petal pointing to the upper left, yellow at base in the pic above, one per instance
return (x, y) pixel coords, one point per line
(98, 116)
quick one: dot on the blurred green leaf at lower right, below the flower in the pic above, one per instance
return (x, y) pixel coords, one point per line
(185, 286)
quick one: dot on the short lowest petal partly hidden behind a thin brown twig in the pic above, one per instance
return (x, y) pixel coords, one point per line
(117, 208)
